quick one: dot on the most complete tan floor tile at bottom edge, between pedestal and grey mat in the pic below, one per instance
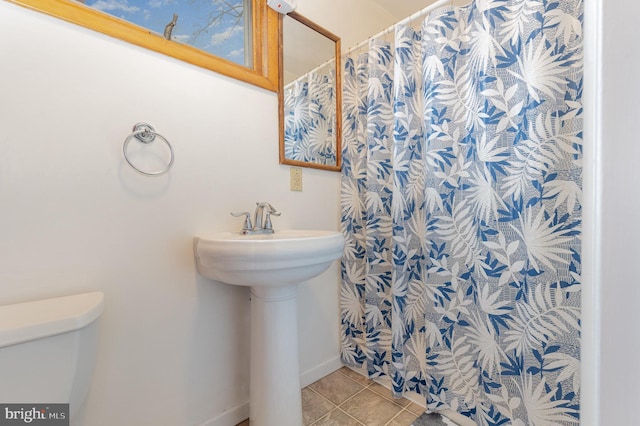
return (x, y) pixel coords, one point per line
(370, 408)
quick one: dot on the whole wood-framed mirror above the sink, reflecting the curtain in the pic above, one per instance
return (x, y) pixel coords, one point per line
(310, 98)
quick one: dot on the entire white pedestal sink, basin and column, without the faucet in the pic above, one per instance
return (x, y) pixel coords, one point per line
(272, 265)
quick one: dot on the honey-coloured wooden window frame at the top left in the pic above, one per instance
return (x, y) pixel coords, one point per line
(265, 33)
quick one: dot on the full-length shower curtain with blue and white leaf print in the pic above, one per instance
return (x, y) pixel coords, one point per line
(461, 207)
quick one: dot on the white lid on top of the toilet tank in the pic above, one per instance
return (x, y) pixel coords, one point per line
(22, 322)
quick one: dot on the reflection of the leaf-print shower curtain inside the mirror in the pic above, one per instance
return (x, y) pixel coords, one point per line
(309, 116)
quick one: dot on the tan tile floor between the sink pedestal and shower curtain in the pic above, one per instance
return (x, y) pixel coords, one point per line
(346, 398)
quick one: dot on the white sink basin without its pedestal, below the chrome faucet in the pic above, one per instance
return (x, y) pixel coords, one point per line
(267, 260)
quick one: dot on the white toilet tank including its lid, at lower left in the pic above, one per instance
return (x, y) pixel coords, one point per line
(47, 349)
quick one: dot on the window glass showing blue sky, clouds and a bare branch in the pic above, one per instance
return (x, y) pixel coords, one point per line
(219, 27)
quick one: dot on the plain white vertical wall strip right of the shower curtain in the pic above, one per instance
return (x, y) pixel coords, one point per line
(618, 226)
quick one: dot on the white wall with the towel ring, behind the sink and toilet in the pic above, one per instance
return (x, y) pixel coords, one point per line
(173, 346)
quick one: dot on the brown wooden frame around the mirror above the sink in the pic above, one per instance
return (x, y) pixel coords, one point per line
(338, 131)
